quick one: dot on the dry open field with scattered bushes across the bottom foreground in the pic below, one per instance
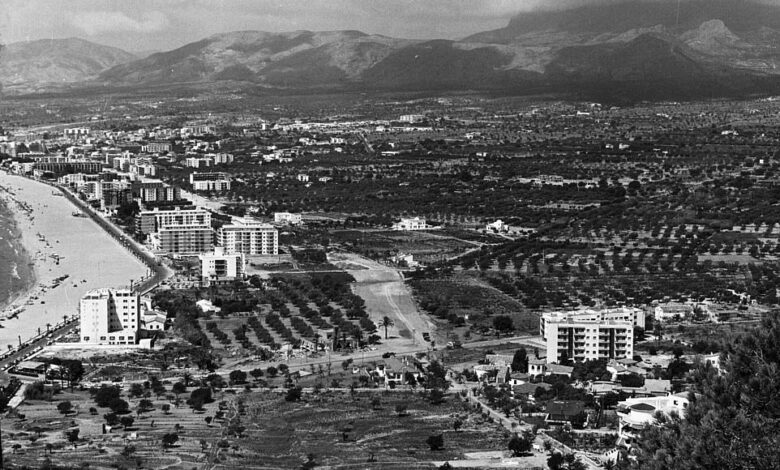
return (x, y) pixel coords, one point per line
(251, 430)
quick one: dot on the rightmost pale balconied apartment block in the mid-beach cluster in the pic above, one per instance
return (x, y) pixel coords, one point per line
(248, 236)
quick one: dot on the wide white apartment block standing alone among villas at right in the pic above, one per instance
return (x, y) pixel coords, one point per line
(590, 334)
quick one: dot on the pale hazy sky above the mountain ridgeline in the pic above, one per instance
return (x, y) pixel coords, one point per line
(137, 25)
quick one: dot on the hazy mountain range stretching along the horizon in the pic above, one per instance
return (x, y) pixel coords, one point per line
(633, 49)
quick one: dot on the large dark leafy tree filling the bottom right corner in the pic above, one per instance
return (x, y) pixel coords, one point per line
(731, 422)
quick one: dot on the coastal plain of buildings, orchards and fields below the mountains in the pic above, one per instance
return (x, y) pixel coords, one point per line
(474, 283)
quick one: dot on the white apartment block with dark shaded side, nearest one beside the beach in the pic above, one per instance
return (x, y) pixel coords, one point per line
(110, 316)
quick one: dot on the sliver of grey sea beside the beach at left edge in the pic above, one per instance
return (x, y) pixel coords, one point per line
(16, 269)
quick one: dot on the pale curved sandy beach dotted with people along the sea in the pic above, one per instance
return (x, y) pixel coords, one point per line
(60, 245)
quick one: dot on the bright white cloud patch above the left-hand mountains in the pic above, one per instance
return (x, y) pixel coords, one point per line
(97, 22)
